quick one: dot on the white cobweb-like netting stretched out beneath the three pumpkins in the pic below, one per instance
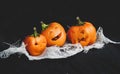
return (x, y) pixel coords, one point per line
(55, 52)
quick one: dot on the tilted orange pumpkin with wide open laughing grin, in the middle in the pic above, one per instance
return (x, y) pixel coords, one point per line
(54, 33)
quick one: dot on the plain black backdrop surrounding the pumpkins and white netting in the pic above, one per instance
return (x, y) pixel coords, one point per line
(17, 20)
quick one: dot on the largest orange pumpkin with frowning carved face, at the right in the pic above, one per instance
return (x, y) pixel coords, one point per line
(83, 33)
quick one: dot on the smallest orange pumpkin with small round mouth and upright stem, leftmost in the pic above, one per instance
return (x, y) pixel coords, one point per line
(35, 43)
